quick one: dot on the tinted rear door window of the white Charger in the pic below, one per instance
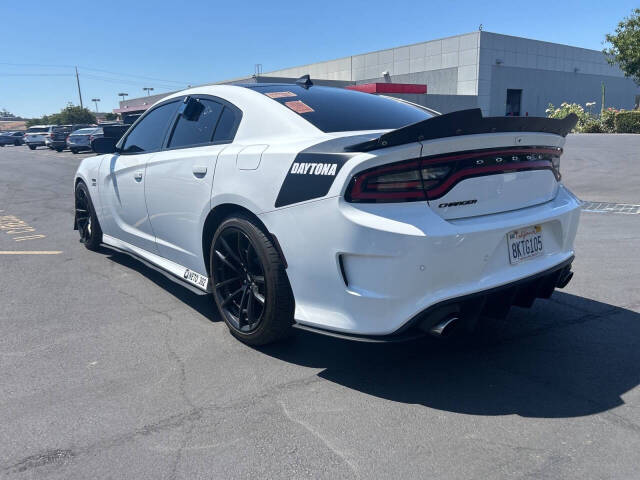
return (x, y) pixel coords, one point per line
(199, 129)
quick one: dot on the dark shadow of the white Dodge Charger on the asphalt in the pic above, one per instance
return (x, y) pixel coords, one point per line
(565, 357)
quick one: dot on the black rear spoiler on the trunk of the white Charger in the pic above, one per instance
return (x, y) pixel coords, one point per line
(465, 122)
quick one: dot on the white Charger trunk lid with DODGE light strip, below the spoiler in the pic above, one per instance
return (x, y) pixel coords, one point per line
(494, 173)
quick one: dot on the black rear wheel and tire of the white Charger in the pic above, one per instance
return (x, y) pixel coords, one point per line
(258, 309)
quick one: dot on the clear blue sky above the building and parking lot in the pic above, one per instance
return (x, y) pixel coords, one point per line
(122, 46)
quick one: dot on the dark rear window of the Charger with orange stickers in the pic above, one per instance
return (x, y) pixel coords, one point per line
(340, 110)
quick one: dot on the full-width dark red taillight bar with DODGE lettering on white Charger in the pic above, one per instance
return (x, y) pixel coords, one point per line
(432, 177)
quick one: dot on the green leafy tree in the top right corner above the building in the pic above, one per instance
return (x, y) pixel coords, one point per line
(625, 46)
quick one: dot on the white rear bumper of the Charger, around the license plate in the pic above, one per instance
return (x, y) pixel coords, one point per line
(371, 269)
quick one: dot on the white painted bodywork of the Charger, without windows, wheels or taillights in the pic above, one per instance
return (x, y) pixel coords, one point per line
(400, 258)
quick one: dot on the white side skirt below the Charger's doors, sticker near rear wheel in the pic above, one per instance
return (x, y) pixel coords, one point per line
(195, 281)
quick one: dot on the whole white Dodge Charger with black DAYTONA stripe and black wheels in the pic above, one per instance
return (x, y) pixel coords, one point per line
(336, 211)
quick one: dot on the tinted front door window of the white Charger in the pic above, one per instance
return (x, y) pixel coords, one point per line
(147, 136)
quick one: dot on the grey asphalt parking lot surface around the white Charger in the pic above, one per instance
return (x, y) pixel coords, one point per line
(109, 370)
